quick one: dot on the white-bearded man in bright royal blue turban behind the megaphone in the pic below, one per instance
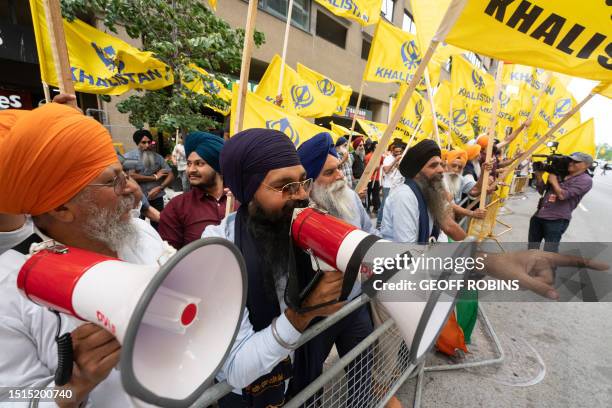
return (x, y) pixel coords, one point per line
(330, 191)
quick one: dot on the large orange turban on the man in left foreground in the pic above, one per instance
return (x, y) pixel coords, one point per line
(48, 155)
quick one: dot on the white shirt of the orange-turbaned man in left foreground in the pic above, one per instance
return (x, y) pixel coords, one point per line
(27, 331)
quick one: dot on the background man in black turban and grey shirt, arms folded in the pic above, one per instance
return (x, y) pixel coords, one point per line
(152, 172)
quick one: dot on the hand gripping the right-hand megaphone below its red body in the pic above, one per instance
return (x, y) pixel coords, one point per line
(328, 289)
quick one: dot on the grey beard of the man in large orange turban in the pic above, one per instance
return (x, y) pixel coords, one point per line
(105, 225)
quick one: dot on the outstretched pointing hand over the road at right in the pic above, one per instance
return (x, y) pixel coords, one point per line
(534, 269)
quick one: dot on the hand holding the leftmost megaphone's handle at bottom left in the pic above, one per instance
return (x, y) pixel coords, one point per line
(96, 352)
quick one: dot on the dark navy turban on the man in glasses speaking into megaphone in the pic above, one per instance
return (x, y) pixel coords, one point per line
(248, 156)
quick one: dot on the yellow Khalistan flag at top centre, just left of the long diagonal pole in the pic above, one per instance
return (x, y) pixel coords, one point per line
(394, 55)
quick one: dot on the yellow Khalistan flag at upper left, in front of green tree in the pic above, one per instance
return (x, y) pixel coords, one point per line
(100, 63)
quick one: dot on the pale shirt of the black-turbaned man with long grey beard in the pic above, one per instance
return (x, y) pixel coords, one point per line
(401, 216)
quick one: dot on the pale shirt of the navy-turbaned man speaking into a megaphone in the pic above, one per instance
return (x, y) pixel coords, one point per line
(253, 353)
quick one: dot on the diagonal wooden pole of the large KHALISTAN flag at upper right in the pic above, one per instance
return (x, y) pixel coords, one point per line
(395, 118)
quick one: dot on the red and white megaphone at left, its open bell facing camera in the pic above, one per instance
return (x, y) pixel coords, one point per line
(176, 323)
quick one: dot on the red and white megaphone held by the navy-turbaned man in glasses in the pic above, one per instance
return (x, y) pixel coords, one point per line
(345, 247)
